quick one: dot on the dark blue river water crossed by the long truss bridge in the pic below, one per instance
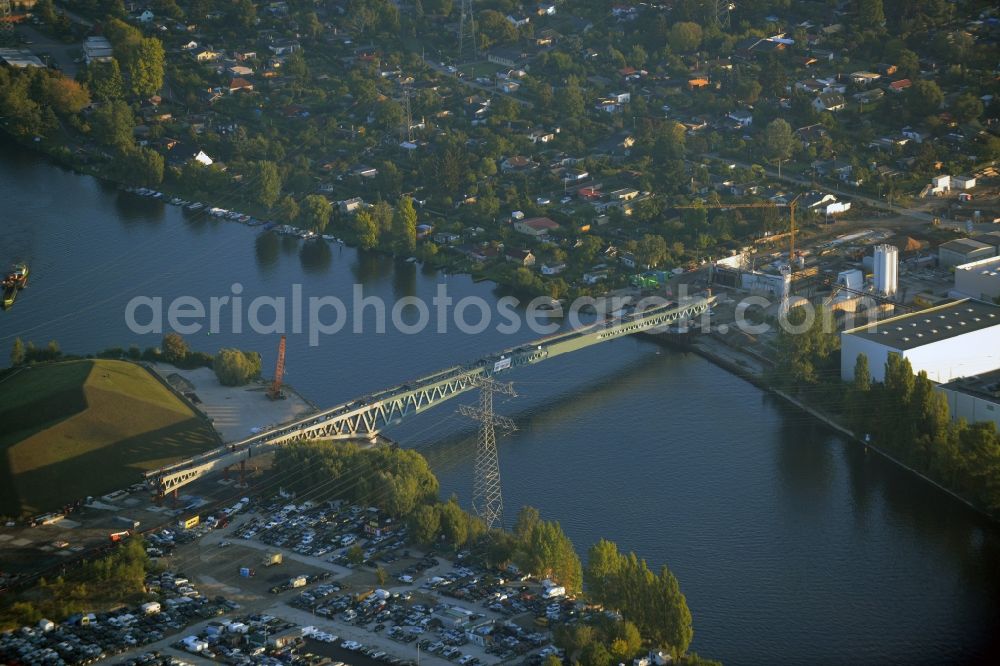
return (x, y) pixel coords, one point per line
(790, 544)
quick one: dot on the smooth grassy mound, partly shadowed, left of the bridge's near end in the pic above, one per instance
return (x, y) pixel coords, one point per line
(78, 428)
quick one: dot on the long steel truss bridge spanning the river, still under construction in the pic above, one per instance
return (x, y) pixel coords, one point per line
(365, 417)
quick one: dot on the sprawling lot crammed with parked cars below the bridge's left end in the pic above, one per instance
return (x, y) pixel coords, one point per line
(282, 582)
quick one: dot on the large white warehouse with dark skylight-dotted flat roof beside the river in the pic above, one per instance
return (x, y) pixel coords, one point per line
(957, 339)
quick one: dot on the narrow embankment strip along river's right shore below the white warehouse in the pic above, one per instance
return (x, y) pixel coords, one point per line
(750, 367)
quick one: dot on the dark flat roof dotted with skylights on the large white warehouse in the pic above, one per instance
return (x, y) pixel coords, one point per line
(942, 322)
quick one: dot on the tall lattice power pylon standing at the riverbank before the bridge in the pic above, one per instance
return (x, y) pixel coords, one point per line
(487, 498)
